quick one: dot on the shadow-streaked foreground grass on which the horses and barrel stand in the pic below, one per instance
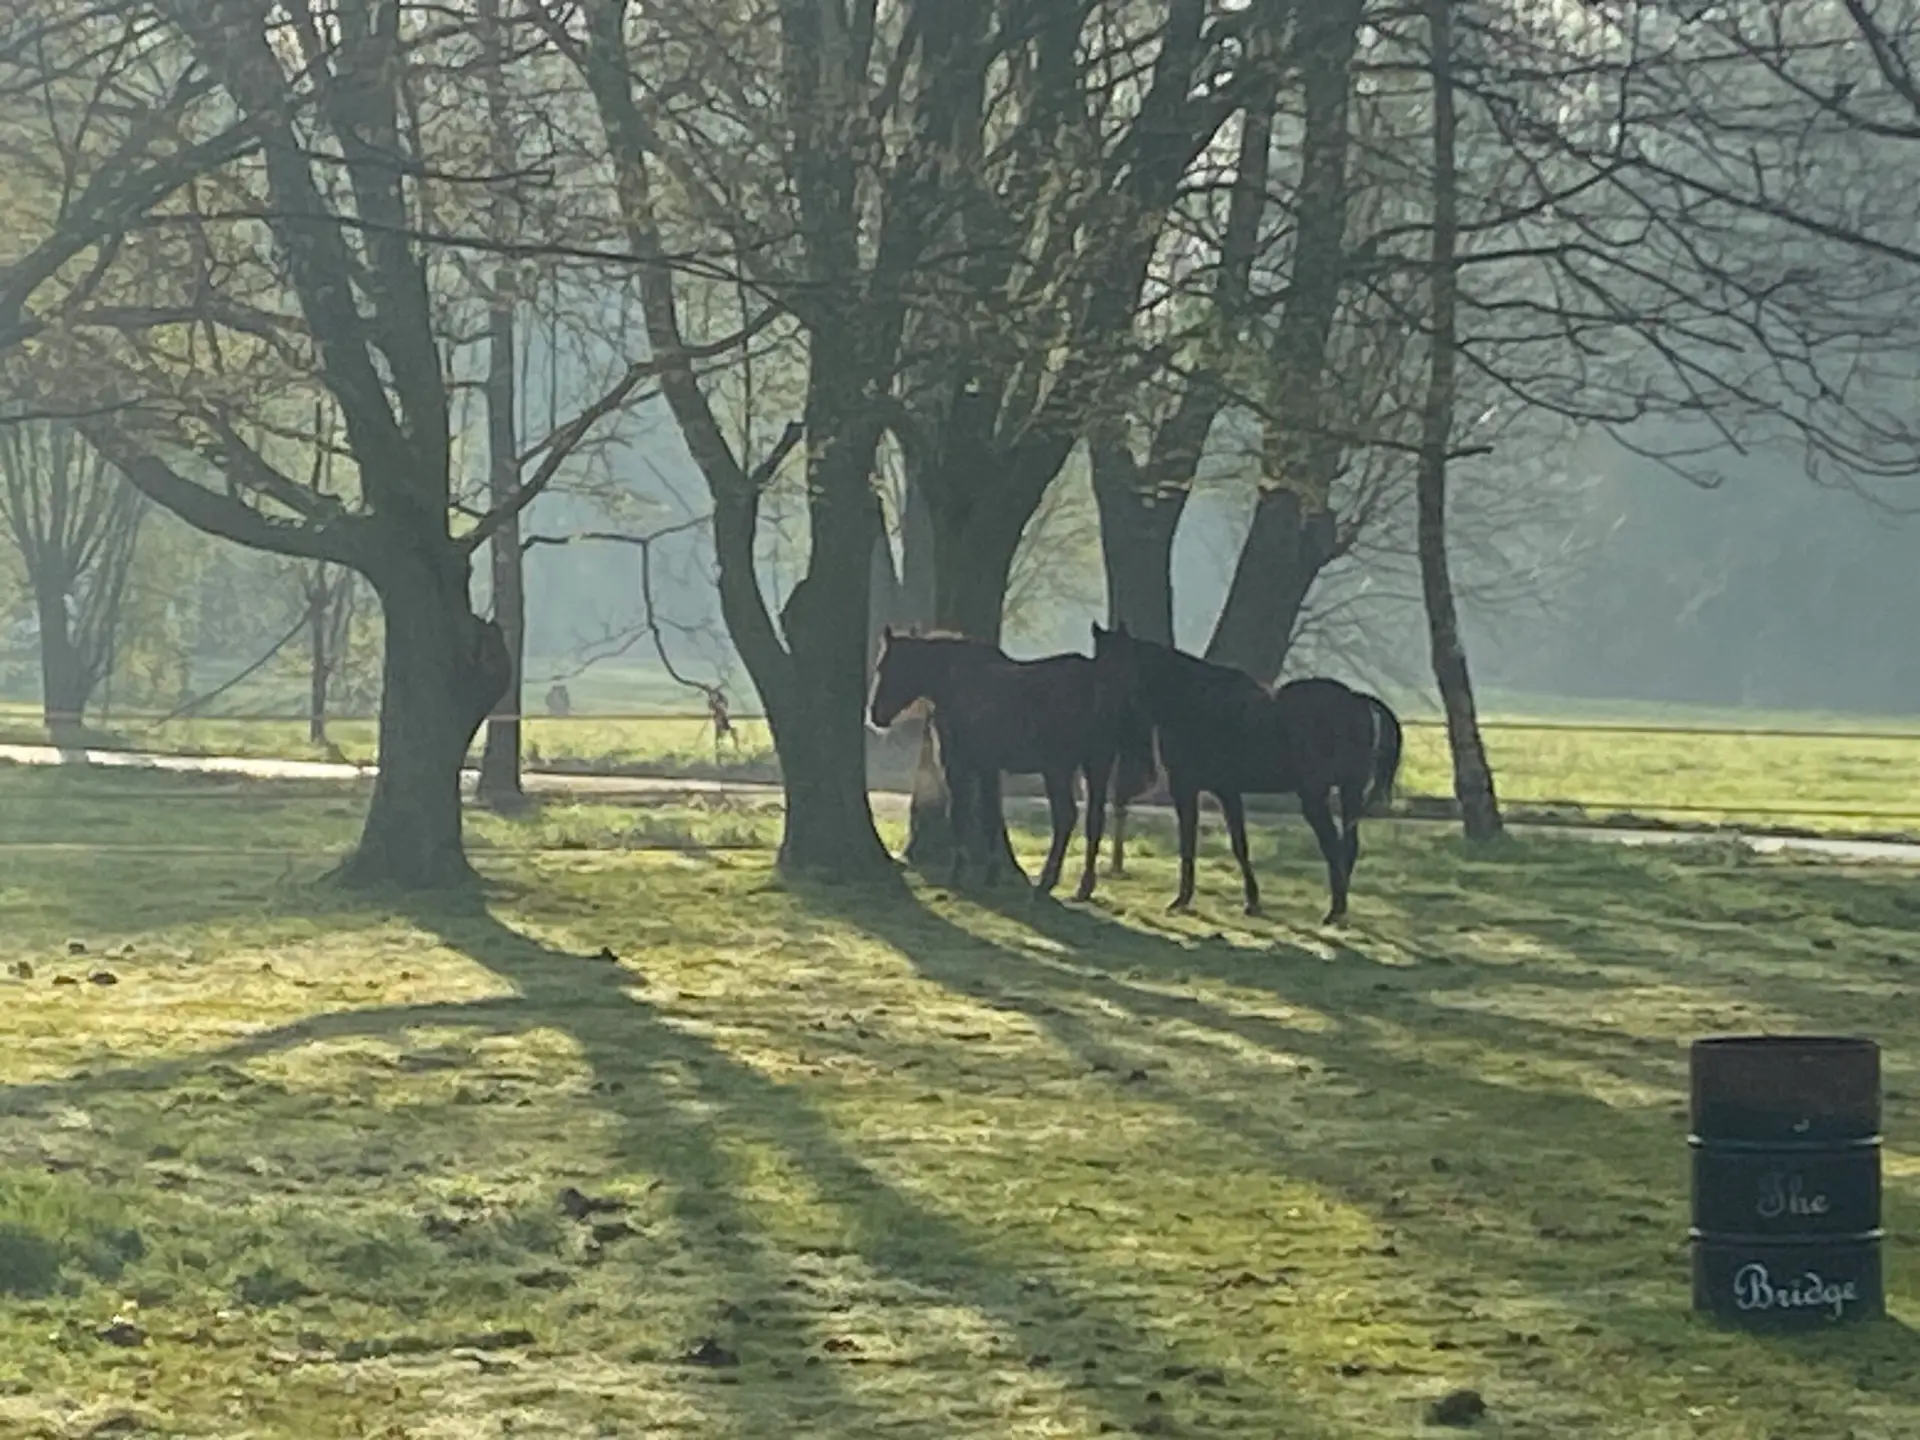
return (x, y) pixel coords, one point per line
(656, 1145)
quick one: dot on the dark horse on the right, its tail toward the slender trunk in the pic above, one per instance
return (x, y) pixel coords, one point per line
(1224, 732)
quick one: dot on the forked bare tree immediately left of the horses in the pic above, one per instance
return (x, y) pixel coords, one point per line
(838, 262)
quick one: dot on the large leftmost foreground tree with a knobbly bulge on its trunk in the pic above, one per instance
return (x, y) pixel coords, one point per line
(324, 270)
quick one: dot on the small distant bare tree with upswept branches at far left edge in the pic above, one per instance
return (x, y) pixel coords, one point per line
(76, 523)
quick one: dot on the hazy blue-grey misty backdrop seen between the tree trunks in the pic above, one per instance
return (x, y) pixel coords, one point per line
(1589, 577)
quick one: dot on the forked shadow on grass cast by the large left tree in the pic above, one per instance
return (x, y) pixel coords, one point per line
(684, 1111)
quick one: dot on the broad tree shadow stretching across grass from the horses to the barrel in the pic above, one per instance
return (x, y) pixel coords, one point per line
(1435, 1151)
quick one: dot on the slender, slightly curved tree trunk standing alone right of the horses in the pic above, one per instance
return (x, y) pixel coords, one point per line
(1474, 777)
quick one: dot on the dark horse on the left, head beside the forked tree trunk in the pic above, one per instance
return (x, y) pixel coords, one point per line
(994, 715)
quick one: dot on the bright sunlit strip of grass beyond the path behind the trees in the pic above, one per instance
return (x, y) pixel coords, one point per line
(1831, 777)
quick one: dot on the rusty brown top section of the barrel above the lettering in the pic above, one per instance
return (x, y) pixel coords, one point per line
(1787, 1088)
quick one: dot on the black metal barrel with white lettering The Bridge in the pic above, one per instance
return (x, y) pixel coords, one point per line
(1787, 1180)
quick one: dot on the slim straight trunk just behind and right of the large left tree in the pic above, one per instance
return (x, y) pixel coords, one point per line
(500, 761)
